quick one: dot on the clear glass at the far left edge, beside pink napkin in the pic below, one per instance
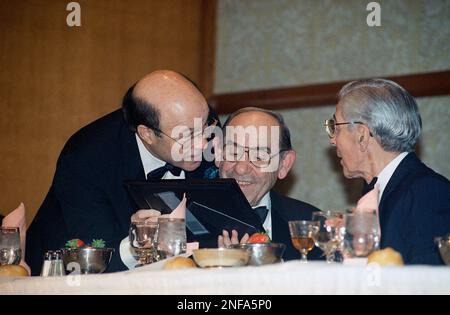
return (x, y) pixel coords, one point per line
(10, 252)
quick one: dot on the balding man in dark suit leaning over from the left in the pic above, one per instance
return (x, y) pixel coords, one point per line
(87, 199)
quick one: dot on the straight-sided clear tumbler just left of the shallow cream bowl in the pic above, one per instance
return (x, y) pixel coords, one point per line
(171, 237)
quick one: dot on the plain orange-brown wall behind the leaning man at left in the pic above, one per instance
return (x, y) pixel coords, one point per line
(55, 79)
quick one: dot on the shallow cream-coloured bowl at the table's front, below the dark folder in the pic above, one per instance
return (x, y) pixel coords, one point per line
(221, 257)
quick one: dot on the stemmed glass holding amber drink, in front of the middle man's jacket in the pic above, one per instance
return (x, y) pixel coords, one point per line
(303, 235)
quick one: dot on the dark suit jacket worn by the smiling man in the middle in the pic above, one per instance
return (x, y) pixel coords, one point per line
(286, 209)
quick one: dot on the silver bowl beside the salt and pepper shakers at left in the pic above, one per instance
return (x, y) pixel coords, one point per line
(90, 260)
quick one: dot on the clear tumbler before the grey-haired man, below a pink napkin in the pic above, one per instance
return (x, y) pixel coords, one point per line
(362, 234)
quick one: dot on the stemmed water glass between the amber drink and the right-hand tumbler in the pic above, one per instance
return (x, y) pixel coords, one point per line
(329, 236)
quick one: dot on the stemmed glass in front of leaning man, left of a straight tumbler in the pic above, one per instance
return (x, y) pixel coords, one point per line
(143, 240)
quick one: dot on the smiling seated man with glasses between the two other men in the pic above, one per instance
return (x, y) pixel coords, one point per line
(257, 151)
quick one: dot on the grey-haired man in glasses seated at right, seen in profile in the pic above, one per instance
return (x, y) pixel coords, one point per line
(375, 129)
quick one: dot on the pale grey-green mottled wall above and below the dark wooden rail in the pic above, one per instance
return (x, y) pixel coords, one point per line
(278, 43)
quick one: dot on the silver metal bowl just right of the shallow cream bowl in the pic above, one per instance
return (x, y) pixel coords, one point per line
(263, 254)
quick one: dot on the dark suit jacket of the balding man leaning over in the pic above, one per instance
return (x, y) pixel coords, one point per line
(87, 199)
